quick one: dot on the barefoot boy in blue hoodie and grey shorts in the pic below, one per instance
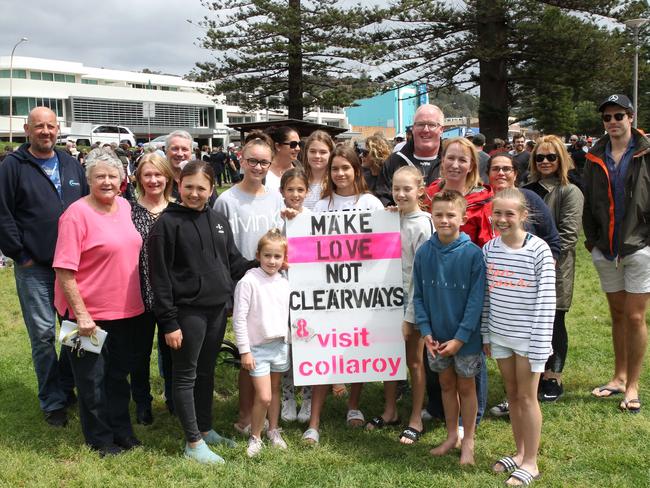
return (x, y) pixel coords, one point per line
(449, 279)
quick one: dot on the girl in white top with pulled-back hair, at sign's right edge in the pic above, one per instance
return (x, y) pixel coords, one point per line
(415, 229)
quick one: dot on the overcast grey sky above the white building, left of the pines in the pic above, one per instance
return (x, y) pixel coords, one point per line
(117, 34)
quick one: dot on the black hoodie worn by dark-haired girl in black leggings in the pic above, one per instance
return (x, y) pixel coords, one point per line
(193, 261)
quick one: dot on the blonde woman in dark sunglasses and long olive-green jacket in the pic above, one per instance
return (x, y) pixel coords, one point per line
(549, 168)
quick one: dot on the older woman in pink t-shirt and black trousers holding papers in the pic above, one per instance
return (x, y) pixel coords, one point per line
(98, 286)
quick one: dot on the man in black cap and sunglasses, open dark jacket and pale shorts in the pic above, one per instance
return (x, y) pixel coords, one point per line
(616, 222)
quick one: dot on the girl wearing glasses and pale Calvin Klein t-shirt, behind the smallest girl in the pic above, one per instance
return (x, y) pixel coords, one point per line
(252, 210)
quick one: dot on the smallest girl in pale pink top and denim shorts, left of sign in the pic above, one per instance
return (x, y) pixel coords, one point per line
(260, 318)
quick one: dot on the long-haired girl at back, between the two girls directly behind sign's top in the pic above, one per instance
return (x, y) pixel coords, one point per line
(315, 157)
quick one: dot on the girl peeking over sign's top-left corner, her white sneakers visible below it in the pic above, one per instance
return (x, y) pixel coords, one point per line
(293, 186)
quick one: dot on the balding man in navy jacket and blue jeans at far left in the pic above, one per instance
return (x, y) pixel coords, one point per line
(37, 184)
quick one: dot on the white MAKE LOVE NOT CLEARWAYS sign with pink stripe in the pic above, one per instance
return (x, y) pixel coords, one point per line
(347, 297)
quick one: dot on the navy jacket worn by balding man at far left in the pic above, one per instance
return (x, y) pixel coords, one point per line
(30, 206)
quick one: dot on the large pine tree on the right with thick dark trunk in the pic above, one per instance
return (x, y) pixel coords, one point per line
(507, 50)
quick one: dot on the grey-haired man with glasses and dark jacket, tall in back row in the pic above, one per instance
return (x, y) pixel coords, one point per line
(421, 151)
